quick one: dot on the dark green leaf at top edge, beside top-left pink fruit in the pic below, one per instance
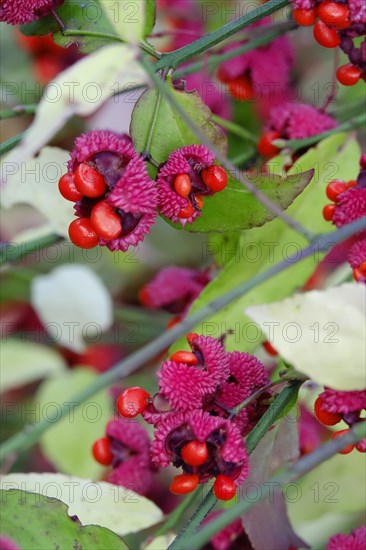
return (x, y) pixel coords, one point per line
(82, 16)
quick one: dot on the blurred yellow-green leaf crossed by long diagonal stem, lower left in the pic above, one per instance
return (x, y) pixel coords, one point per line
(68, 443)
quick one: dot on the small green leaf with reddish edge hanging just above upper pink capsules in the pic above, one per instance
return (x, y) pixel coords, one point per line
(154, 117)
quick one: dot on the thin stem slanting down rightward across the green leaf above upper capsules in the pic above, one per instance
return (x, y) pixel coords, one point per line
(229, 167)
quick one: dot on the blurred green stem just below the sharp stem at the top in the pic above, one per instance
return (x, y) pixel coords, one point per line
(216, 59)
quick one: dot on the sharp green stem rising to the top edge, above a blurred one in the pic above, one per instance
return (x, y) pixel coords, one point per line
(178, 57)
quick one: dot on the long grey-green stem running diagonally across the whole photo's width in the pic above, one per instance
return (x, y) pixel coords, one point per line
(30, 434)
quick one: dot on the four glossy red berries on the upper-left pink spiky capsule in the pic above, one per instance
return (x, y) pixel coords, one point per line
(104, 222)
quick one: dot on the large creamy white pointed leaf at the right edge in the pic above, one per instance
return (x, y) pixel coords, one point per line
(329, 329)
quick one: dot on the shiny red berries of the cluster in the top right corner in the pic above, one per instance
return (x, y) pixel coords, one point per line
(333, 18)
